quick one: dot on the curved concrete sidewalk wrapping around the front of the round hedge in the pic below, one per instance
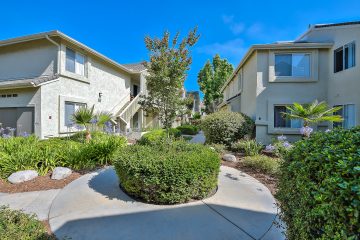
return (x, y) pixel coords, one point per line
(94, 207)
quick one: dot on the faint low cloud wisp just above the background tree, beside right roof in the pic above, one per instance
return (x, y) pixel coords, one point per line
(233, 49)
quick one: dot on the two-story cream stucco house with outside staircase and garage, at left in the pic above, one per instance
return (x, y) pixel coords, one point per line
(45, 77)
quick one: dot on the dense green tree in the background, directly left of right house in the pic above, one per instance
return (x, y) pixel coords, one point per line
(211, 78)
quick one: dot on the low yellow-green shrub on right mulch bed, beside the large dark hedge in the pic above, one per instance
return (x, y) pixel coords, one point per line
(263, 164)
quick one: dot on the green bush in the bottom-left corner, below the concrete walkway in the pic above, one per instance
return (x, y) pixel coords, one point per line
(18, 225)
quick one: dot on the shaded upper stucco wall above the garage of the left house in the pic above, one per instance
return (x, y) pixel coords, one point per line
(28, 60)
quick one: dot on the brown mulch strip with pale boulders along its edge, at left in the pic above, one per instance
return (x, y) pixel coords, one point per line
(38, 184)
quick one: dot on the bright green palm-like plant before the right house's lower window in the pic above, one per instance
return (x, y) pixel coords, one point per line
(313, 113)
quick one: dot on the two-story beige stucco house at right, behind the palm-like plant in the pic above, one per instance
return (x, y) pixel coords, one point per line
(321, 64)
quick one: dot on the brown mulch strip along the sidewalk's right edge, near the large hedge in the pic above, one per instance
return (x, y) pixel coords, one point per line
(269, 181)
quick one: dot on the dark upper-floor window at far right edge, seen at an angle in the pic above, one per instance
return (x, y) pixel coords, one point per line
(344, 57)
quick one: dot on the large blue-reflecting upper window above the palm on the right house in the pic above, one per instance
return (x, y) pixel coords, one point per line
(292, 65)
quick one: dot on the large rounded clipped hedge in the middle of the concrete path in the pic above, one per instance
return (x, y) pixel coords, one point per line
(168, 173)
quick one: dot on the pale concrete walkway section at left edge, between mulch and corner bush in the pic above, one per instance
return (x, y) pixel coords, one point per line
(31, 202)
